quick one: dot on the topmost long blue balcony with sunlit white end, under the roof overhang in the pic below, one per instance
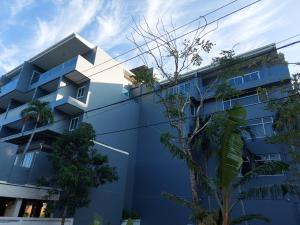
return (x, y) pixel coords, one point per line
(70, 69)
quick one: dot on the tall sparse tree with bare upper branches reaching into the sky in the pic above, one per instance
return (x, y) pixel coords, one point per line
(172, 61)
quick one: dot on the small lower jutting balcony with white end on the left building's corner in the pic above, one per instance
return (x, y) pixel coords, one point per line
(70, 105)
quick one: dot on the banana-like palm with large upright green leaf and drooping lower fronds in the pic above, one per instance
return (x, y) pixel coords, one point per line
(224, 136)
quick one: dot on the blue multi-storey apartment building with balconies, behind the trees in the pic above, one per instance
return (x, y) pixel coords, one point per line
(82, 83)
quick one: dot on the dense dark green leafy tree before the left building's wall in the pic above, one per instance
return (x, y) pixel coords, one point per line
(78, 167)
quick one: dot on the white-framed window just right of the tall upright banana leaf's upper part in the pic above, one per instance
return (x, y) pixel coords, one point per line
(260, 128)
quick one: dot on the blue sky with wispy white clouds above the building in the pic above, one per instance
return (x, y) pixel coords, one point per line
(30, 26)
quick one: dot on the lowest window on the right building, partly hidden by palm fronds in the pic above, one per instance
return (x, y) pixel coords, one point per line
(260, 160)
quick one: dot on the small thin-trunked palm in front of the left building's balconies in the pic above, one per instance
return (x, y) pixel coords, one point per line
(39, 112)
